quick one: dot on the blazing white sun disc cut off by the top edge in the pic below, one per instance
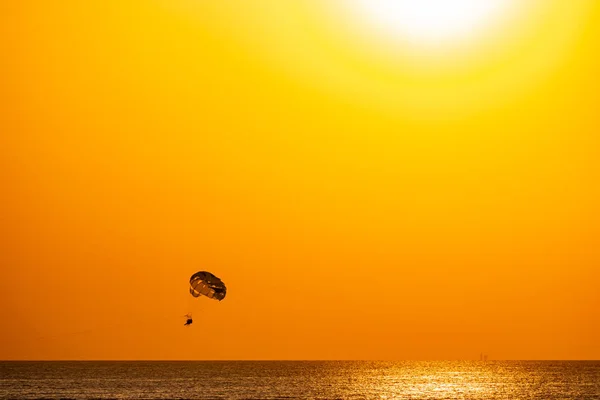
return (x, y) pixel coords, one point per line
(432, 21)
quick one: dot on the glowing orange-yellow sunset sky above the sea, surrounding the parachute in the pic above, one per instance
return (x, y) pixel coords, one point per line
(370, 179)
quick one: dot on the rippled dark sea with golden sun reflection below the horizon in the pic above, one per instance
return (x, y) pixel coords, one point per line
(301, 380)
